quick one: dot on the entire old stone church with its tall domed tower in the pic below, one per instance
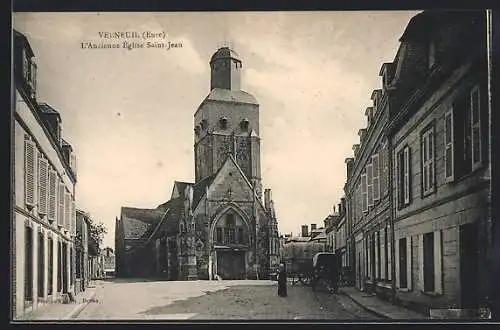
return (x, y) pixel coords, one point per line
(222, 224)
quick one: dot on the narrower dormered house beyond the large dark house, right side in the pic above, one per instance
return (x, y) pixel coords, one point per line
(367, 200)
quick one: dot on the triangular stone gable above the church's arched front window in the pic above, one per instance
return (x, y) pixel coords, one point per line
(230, 184)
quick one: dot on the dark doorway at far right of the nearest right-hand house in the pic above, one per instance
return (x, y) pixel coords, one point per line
(468, 265)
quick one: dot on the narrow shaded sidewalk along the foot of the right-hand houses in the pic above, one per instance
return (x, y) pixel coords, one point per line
(379, 306)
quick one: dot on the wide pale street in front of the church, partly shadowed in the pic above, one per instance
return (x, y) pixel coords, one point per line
(221, 300)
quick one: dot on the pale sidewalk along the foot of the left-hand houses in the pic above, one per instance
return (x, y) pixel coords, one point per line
(60, 311)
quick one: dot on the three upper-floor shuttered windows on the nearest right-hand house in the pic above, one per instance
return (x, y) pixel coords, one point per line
(462, 148)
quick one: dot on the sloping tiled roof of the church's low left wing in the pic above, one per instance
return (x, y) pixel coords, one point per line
(139, 223)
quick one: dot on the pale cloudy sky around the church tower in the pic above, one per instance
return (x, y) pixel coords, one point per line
(129, 113)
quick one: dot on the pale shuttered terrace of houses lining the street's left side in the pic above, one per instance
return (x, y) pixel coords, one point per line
(44, 178)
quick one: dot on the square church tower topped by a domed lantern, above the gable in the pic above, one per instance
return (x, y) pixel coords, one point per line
(227, 122)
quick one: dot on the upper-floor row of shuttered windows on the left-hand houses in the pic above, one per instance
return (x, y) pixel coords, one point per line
(44, 189)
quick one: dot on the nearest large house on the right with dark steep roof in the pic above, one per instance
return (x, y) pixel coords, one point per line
(439, 138)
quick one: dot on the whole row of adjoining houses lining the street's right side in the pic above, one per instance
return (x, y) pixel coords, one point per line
(418, 186)
